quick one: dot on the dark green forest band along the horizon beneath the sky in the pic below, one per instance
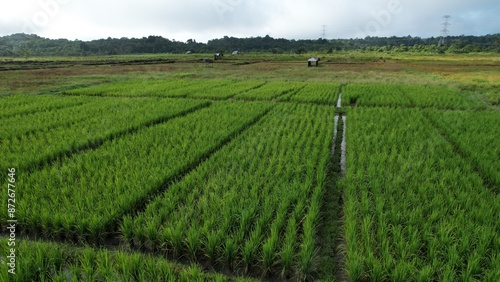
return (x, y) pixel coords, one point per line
(24, 45)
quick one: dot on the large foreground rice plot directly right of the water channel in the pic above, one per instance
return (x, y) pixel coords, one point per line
(414, 209)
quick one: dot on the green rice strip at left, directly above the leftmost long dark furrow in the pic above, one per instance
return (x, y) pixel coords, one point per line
(112, 117)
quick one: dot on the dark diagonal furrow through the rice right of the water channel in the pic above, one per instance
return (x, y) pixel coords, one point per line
(488, 181)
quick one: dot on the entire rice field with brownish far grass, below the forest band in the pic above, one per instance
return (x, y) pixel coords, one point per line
(255, 168)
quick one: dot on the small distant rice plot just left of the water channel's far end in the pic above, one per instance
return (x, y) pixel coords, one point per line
(319, 93)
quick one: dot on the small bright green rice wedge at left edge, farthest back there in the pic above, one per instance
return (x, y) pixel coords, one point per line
(25, 104)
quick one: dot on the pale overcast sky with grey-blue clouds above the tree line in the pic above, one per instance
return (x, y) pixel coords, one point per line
(203, 20)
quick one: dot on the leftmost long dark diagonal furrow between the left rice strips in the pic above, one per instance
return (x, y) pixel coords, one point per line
(94, 144)
